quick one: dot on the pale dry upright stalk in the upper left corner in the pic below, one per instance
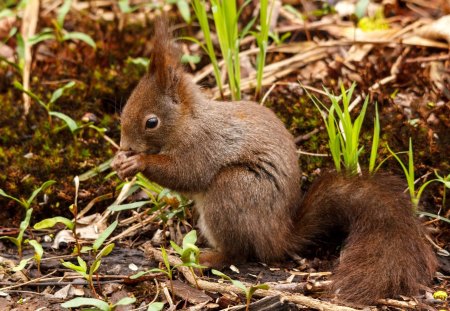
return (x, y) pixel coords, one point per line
(28, 29)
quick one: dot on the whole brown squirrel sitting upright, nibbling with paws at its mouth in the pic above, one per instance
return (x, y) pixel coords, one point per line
(239, 164)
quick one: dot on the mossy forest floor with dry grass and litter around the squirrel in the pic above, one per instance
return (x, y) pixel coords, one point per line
(403, 66)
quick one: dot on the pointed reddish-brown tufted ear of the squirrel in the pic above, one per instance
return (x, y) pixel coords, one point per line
(164, 60)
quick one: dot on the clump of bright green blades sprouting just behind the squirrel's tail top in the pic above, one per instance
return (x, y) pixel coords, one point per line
(343, 132)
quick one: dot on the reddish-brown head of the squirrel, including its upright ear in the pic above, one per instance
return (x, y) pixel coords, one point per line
(160, 101)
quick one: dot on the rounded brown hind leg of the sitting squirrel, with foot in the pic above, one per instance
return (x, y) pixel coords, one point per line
(243, 216)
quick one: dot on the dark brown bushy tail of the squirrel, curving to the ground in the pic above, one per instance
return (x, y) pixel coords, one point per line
(385, 253)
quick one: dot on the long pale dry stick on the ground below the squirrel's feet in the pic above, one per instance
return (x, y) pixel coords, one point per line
(224, 288)
